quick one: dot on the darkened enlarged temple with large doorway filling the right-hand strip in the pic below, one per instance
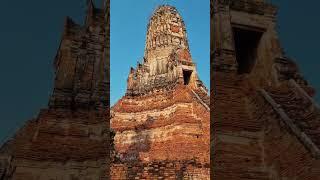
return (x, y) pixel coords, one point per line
(265, 124)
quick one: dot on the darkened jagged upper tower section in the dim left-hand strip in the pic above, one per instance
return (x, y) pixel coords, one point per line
(80, 65)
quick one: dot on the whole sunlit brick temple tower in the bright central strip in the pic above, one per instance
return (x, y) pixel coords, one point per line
(162, 124)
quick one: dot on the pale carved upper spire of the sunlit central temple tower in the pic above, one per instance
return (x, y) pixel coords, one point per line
(167, 61)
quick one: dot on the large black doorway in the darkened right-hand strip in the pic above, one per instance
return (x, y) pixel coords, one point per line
(246, 44)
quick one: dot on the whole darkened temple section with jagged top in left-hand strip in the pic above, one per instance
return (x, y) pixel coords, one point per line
(69, 139)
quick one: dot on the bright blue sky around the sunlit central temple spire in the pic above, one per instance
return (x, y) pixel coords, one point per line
(129, 21)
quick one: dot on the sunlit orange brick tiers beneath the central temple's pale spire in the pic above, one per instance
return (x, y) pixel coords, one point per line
(154, 130)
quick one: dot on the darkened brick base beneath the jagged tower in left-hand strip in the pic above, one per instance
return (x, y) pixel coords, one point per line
(60, 145)
